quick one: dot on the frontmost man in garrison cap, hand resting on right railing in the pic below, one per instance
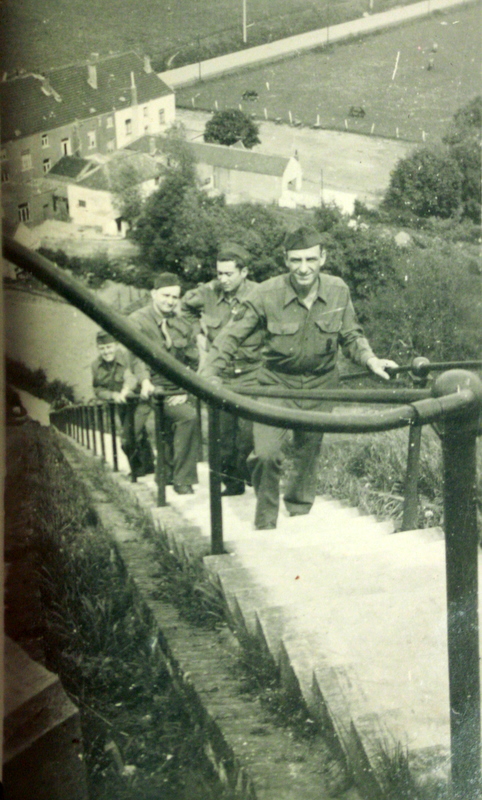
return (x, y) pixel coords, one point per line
(306, 315)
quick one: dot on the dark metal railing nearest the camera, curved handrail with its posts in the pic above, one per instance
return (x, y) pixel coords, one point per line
(454, 404)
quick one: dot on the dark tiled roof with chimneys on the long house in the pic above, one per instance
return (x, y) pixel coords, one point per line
(32, 104)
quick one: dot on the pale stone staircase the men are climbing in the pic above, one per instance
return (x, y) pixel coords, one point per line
(354, 617)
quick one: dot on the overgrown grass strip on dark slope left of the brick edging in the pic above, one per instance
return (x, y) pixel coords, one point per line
(138, 737)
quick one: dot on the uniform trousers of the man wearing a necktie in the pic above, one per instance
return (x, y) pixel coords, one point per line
(185, 442)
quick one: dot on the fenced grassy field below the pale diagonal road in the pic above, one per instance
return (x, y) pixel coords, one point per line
(325, 83)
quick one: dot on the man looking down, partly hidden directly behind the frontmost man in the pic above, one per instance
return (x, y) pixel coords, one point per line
(216, 302)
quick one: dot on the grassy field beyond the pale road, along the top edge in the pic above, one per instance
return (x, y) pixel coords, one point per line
(55, 32)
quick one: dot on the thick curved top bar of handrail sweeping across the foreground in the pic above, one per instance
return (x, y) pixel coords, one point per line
(219, 397)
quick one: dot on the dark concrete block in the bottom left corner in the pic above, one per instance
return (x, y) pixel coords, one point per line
(42, 755)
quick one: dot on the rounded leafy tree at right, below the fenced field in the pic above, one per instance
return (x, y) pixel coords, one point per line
(425, 184)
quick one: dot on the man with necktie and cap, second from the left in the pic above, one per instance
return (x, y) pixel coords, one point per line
(161, 323)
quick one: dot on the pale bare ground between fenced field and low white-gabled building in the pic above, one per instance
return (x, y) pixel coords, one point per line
(347, 162)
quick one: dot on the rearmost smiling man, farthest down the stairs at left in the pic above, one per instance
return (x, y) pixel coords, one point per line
(112, 380)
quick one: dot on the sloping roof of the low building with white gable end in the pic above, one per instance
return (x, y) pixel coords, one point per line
(243, 160)
